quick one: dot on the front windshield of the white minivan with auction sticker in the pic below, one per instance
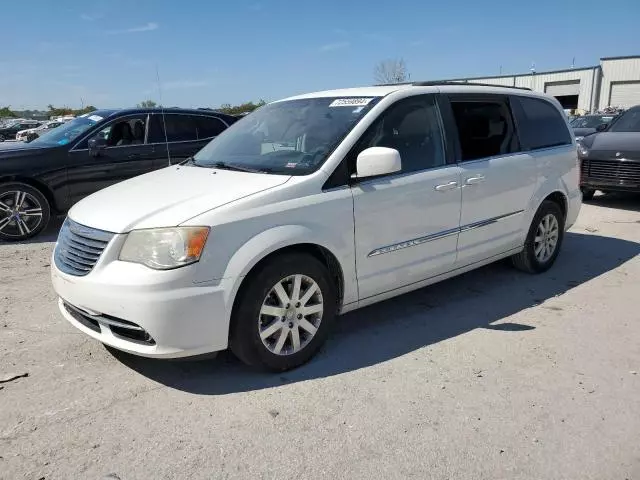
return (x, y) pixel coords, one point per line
(292, 137)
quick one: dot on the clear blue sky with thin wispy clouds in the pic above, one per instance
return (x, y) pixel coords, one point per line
(213, 52)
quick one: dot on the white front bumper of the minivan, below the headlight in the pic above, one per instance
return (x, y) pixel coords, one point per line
(174, 317)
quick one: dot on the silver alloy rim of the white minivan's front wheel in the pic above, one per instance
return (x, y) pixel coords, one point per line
(290, 315)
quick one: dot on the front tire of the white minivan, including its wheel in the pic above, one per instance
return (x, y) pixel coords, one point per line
(260, 295)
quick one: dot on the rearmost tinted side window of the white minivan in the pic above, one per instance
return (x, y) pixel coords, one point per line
(540, 124)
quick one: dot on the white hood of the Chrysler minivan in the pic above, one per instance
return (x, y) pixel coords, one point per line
(168, 197)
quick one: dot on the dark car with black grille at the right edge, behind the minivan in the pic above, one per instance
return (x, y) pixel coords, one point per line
(610, 159)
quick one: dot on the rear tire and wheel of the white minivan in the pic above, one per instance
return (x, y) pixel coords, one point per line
(531, 259)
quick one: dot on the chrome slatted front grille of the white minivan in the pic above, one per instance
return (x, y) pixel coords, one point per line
(79, 248)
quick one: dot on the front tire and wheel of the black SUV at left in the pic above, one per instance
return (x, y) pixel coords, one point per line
(33, 215)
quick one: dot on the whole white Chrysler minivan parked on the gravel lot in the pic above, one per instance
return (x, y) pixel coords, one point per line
(311, 207)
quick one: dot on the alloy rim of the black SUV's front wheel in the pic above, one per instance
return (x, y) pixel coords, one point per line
(20, 213)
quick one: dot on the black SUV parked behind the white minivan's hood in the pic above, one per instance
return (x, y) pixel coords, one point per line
(48, 175)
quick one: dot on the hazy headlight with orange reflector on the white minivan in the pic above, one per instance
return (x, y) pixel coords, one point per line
(165, 248)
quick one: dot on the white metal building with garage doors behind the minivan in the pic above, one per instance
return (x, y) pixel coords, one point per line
(614, 82)
